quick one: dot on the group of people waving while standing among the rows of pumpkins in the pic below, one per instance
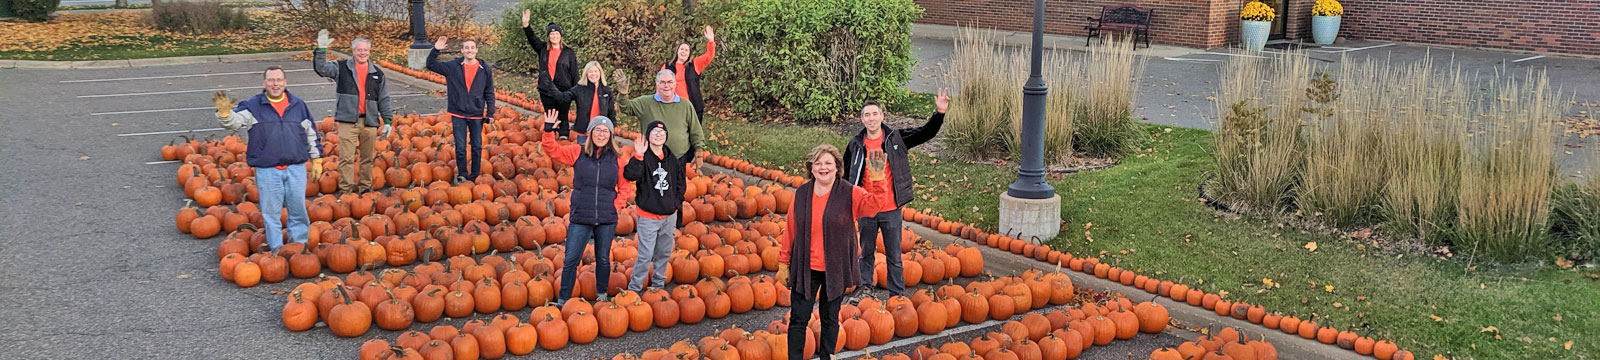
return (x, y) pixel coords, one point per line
(852, 199)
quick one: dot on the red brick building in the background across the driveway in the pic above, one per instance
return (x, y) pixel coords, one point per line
(1554, 26)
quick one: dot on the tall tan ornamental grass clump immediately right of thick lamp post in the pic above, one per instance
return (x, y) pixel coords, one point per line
(1110, 129)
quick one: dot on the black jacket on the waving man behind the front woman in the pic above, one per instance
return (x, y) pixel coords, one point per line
(897, 143)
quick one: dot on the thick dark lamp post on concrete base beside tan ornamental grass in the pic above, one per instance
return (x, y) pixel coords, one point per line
(1031, 174)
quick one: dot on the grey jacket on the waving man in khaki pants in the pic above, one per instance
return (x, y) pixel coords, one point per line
(346, 110)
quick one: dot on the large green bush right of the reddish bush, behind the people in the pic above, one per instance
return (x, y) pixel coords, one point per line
(815, 58)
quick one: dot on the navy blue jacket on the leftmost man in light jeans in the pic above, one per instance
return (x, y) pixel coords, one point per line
(274, 140)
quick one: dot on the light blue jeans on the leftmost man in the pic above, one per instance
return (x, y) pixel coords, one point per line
(284, 190)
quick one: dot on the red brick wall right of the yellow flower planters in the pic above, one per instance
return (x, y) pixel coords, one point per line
(1554, 26)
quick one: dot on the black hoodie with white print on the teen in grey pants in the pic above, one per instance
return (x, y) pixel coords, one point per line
(660, 180)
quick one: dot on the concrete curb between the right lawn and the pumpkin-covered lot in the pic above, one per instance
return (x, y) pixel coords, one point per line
(1004, 263)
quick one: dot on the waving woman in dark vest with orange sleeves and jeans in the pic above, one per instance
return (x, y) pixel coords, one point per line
(598, 199)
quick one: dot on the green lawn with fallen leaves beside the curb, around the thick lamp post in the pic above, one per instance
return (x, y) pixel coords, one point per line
(1143, 215)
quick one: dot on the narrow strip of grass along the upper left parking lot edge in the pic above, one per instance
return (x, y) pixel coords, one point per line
(138, 49)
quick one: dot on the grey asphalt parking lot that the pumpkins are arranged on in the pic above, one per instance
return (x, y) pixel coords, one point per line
(92, 268)
